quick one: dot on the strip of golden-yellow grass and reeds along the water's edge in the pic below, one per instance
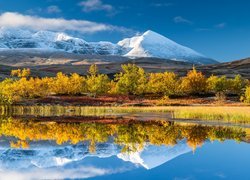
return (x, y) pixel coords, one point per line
(223, 113)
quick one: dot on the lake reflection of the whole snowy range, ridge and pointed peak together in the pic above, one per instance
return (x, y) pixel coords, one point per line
(48, 154)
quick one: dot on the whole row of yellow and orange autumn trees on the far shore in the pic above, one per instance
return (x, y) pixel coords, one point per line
(132, 80)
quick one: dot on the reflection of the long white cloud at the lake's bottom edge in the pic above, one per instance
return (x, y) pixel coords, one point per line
(70, 171)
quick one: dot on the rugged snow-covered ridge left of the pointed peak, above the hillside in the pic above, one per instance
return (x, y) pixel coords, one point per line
(24, 39)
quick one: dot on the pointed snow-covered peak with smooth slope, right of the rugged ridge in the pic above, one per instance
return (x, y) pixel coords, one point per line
(152, 44)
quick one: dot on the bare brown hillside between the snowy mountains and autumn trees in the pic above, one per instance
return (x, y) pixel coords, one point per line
(48, 63)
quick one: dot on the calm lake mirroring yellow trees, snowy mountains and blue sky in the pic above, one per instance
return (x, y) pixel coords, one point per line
(70, 145)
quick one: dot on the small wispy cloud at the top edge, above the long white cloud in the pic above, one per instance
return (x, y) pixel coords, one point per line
(95, 5)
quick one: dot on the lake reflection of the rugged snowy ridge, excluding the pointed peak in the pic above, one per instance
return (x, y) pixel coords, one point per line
(49, 154)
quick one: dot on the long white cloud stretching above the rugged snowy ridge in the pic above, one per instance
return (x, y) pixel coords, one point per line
(16, 20)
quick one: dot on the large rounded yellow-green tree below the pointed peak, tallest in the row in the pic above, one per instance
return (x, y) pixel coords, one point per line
(132, 80)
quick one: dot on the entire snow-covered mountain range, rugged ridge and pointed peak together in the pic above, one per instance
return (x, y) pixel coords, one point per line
(149, 44)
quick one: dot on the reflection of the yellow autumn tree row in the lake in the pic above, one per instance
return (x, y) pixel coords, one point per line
(132, 136)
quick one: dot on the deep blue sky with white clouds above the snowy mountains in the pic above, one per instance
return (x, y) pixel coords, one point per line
(220, 29)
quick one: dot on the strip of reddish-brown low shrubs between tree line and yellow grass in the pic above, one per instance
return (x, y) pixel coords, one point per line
(130, 101)
